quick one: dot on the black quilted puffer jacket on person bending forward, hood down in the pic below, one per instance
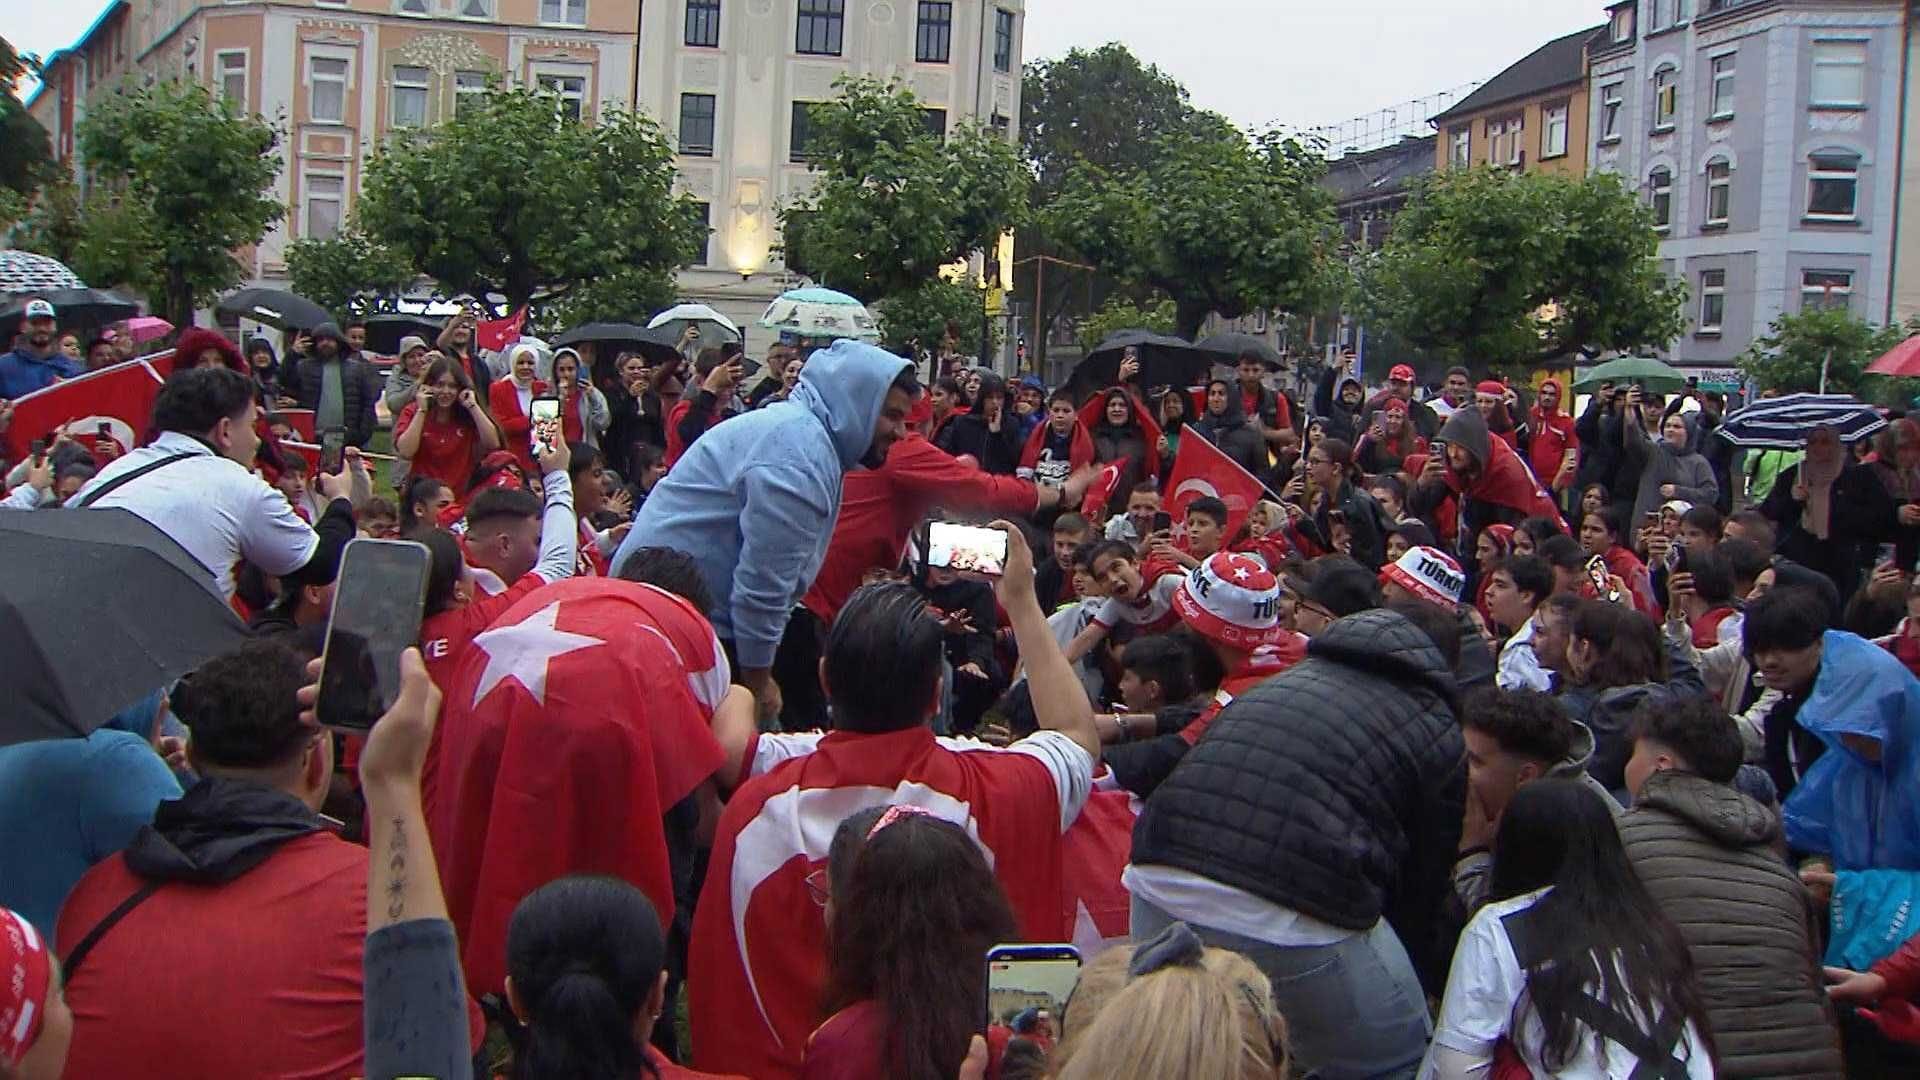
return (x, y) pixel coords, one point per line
(1333, 789)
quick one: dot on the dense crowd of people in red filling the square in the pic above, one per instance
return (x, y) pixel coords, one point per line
(1499, 737)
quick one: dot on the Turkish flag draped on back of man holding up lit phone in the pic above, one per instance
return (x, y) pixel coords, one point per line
(757, 962)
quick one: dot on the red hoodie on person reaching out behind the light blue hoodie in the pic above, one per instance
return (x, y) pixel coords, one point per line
(882, 506)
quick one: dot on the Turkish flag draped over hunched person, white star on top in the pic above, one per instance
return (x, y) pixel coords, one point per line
(571, 725)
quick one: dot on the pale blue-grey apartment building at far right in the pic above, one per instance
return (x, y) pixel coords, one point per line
(1767, 139)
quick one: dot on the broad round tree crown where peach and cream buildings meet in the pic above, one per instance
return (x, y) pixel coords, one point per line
(517, 199)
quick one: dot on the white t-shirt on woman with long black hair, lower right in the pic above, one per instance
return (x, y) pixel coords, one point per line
(1483, 996)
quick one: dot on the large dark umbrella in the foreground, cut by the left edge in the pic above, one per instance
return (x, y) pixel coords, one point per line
(99, 610)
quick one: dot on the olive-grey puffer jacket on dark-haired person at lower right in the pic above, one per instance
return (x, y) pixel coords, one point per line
(1710, 856)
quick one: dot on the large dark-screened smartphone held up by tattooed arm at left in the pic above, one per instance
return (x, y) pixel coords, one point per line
(375, 618)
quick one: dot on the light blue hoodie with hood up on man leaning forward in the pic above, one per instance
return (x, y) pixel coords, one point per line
(756, 499)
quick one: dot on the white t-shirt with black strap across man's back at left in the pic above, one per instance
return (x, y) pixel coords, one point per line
(212, 506)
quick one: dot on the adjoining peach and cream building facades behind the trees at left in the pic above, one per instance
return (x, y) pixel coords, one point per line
(729, 80)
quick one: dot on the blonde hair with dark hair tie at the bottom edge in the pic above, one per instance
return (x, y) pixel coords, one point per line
(1211, 1021)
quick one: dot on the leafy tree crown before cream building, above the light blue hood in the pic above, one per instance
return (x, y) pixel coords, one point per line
(892, 203)
